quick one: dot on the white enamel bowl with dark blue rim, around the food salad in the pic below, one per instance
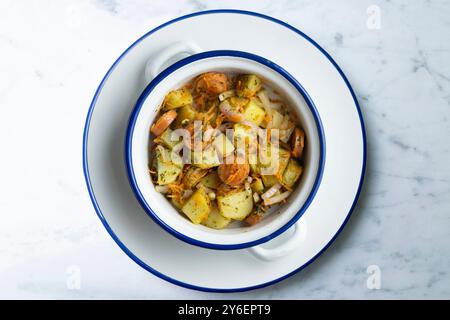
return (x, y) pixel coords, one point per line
(138, 141)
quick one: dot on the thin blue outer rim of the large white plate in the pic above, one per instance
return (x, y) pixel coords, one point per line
(120, 243)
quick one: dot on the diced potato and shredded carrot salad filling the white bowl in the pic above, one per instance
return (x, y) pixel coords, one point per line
(226, 148)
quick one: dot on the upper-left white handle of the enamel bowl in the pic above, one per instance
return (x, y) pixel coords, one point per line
(156, 63)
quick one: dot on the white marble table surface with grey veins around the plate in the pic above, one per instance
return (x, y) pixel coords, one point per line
(396, 54)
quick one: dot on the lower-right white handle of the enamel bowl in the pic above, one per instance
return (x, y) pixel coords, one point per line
(290, 244)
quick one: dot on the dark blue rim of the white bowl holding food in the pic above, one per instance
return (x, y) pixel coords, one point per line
(167, 72)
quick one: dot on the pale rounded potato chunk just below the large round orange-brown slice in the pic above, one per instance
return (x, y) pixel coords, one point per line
(236, 205)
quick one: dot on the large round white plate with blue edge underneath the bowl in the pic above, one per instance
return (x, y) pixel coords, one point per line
(205, 269)
